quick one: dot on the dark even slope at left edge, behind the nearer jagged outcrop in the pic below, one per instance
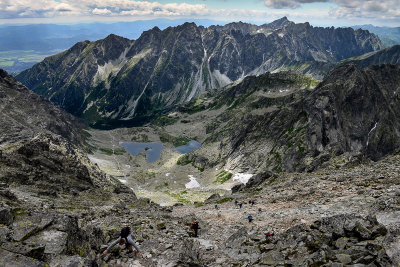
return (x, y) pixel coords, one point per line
(25, 114)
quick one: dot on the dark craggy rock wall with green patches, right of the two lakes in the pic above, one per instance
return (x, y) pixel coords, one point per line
(278, 122)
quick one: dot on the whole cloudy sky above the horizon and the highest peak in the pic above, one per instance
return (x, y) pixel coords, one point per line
(317, 12)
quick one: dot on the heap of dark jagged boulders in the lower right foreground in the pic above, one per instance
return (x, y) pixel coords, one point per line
(340, 240)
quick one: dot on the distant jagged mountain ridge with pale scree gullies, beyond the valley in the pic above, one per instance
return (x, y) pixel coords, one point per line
(120, 79)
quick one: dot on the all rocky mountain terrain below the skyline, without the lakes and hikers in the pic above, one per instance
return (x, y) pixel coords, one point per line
(303, 120)
